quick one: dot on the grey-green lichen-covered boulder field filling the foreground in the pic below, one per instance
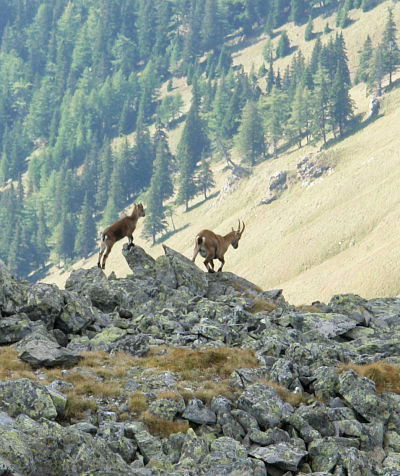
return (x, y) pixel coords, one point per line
(297, 412)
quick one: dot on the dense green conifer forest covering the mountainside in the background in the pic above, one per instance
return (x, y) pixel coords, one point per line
(84, 125)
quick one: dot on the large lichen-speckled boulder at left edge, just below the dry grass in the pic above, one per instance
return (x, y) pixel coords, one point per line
(26, 397)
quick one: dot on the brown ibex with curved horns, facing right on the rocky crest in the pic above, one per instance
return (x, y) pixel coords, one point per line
(212, 246)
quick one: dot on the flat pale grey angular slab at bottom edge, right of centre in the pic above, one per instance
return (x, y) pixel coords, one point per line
(283, 455)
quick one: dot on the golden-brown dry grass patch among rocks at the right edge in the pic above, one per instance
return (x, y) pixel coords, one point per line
(386, 376)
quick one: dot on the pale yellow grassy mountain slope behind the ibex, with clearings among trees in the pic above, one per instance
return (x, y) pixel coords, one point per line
(341, 234)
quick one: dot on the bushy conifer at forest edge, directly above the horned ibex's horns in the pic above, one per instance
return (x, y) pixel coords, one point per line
(250, 138)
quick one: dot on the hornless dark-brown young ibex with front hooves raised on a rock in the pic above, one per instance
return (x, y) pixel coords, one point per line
(118, 230)
